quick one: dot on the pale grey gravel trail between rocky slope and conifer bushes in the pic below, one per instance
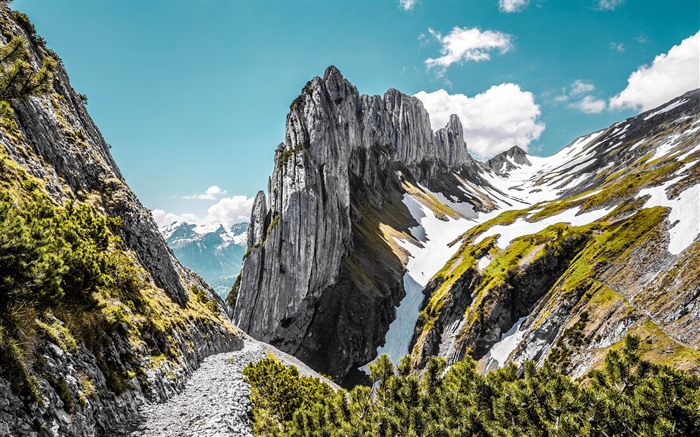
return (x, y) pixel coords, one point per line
(215, 400)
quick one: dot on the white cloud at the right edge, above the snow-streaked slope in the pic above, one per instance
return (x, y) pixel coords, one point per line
(669, 75)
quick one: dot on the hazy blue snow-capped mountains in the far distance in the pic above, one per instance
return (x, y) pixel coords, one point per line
(212, 251)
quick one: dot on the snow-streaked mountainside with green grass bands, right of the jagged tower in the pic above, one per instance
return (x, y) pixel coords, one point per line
(569, 290)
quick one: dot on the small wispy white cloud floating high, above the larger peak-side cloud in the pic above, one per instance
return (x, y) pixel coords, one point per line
(467, 44)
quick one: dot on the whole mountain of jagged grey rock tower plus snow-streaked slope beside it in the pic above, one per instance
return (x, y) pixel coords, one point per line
(367, 208)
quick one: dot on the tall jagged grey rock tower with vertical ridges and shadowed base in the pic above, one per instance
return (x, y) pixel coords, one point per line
(320, 282)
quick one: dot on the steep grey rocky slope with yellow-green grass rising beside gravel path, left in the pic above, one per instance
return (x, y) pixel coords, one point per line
(90, 370)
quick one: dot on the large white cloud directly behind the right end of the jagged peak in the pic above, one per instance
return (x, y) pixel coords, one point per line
(494, 121)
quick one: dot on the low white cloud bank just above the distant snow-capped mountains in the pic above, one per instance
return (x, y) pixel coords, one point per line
(227, 211)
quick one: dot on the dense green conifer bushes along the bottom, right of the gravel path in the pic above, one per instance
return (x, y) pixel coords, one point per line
(626, 396)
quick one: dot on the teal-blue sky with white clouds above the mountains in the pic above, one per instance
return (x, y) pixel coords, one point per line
(193, 95)
